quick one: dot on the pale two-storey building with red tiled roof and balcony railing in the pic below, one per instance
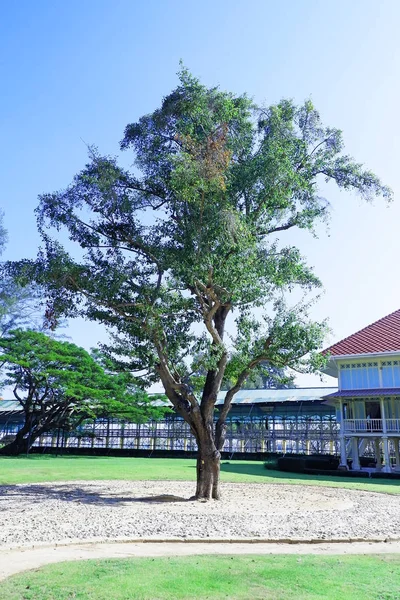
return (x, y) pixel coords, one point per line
(367, 365)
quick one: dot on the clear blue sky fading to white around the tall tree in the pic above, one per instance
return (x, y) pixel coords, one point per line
(81, 70)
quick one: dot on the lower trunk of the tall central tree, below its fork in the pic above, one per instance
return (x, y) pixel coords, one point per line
(208, 472)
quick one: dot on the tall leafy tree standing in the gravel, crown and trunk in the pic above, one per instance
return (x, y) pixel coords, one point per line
(187, 246)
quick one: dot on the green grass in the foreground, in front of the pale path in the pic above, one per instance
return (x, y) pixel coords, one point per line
(279, 577)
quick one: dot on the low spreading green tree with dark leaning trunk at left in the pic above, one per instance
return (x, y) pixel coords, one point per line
(59, 384)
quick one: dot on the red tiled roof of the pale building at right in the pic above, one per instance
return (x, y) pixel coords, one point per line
(381, 336)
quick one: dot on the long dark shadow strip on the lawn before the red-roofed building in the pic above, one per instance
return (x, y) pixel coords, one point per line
(267, 475)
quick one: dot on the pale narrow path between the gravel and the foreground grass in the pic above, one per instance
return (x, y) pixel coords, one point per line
(18, 560)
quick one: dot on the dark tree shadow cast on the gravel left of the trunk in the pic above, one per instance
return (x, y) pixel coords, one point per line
(79, 495)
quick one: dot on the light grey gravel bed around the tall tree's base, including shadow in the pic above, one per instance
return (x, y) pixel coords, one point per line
(34, 514)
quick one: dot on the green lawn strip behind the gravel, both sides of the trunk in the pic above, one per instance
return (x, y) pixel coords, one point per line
(39, 468)
